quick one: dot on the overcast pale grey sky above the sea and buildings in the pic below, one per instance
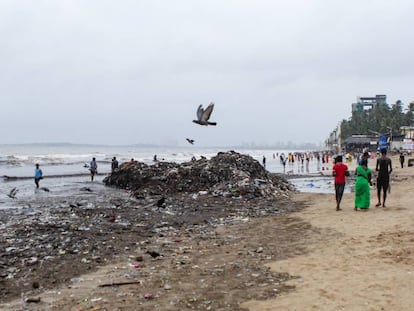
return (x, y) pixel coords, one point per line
(125, 72)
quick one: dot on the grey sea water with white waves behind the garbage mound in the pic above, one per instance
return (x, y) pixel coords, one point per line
(67, 159)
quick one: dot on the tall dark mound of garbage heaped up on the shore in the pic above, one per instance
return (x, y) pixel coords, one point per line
(228, 174)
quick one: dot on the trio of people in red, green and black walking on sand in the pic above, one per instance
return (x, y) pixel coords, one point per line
(363, 180)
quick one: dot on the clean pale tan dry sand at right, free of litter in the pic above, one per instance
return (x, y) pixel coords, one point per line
(368, 266)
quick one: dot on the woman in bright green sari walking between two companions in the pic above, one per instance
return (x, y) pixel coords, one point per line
(362, 190)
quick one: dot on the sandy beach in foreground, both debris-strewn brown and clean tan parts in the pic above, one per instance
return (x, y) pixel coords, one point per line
(312, 258)
